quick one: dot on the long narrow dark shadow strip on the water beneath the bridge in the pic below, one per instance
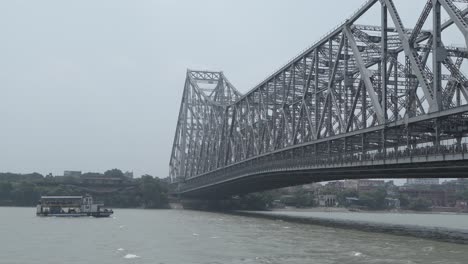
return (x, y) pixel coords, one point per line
(453, 235)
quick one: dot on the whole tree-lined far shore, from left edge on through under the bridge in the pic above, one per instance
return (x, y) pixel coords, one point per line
(117, 190)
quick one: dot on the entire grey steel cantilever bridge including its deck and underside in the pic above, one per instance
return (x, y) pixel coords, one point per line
(365, 101)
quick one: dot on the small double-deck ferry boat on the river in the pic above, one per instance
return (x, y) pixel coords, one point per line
(71, 206)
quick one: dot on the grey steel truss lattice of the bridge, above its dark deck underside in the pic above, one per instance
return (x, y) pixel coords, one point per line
(358, 78)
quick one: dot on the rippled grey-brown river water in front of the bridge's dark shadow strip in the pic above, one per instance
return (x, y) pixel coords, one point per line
(182, 237)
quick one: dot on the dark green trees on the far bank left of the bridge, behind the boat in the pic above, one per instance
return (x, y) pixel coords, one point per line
(112, 188)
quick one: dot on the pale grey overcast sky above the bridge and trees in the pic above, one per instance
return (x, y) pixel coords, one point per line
(96, 84)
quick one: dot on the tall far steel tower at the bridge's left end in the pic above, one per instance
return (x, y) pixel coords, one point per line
(202, 120)
